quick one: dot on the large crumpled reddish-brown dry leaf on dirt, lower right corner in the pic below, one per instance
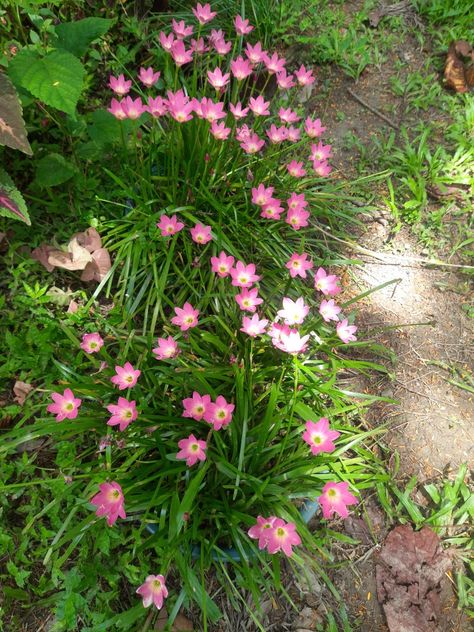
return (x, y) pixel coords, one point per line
(413, 564)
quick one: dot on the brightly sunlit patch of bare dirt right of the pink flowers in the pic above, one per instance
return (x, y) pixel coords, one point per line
(432, 425)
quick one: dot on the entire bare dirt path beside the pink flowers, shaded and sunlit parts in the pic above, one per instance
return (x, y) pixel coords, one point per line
(420, 318)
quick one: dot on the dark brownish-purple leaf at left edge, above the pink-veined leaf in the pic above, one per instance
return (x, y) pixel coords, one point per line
(12, 126)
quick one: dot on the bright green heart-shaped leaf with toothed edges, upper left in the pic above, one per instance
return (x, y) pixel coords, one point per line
(56, 79)
